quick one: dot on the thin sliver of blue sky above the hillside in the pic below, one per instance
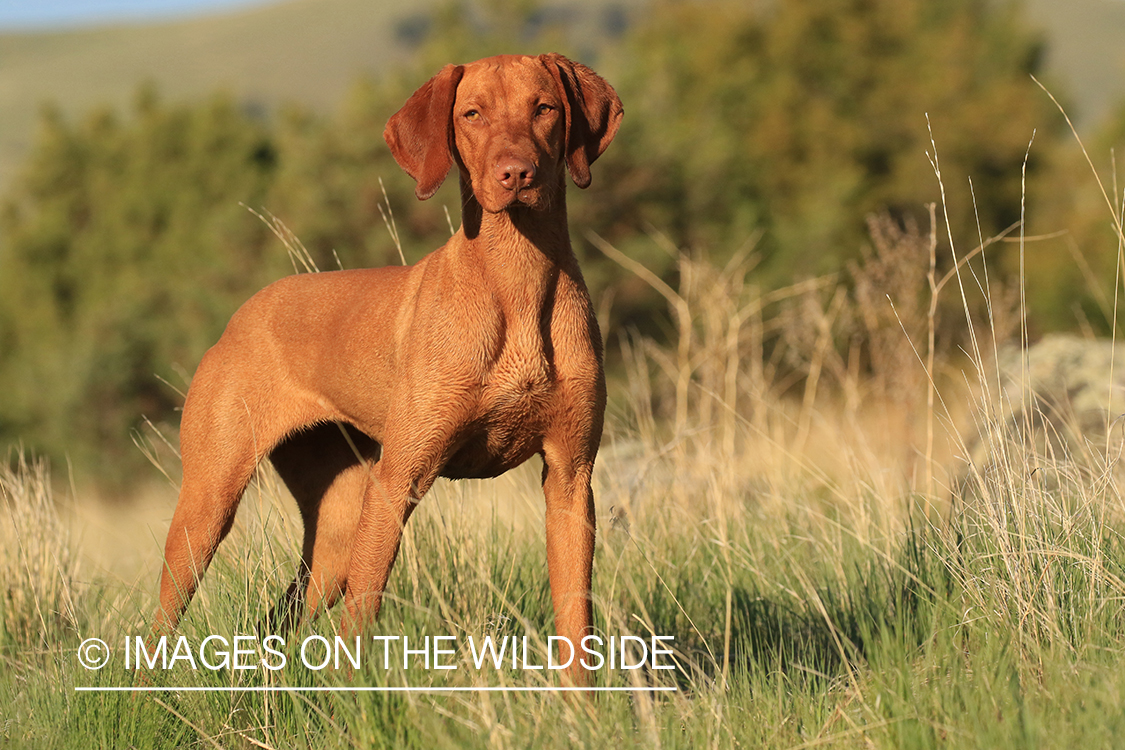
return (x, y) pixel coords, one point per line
(62, 14)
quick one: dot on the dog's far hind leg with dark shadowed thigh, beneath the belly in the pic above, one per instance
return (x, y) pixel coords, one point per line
(326, 469)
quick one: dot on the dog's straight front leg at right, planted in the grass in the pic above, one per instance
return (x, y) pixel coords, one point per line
(571, 530)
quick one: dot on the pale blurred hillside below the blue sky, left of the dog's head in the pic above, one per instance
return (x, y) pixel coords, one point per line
(302, 50)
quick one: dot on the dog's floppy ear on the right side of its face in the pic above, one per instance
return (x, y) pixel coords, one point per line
(593, 114)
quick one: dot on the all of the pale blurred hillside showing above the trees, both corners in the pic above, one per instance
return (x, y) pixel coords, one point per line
(310, 51)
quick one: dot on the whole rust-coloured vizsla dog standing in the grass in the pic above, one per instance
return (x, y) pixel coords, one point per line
(364, 387)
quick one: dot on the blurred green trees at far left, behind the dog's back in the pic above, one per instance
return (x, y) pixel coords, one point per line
(125, 254)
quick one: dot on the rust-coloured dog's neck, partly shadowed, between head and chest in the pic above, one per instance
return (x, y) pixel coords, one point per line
(521, 250)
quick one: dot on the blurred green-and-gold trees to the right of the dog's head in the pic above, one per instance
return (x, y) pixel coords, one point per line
(802, 119)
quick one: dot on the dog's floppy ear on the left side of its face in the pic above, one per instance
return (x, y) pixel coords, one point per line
(421, 133)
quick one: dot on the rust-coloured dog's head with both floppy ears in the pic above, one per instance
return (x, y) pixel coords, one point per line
(511, 124)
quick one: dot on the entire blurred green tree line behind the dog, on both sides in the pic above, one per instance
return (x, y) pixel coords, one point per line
(125, 249)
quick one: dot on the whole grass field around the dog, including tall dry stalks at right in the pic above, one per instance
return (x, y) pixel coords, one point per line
(832, 573)
